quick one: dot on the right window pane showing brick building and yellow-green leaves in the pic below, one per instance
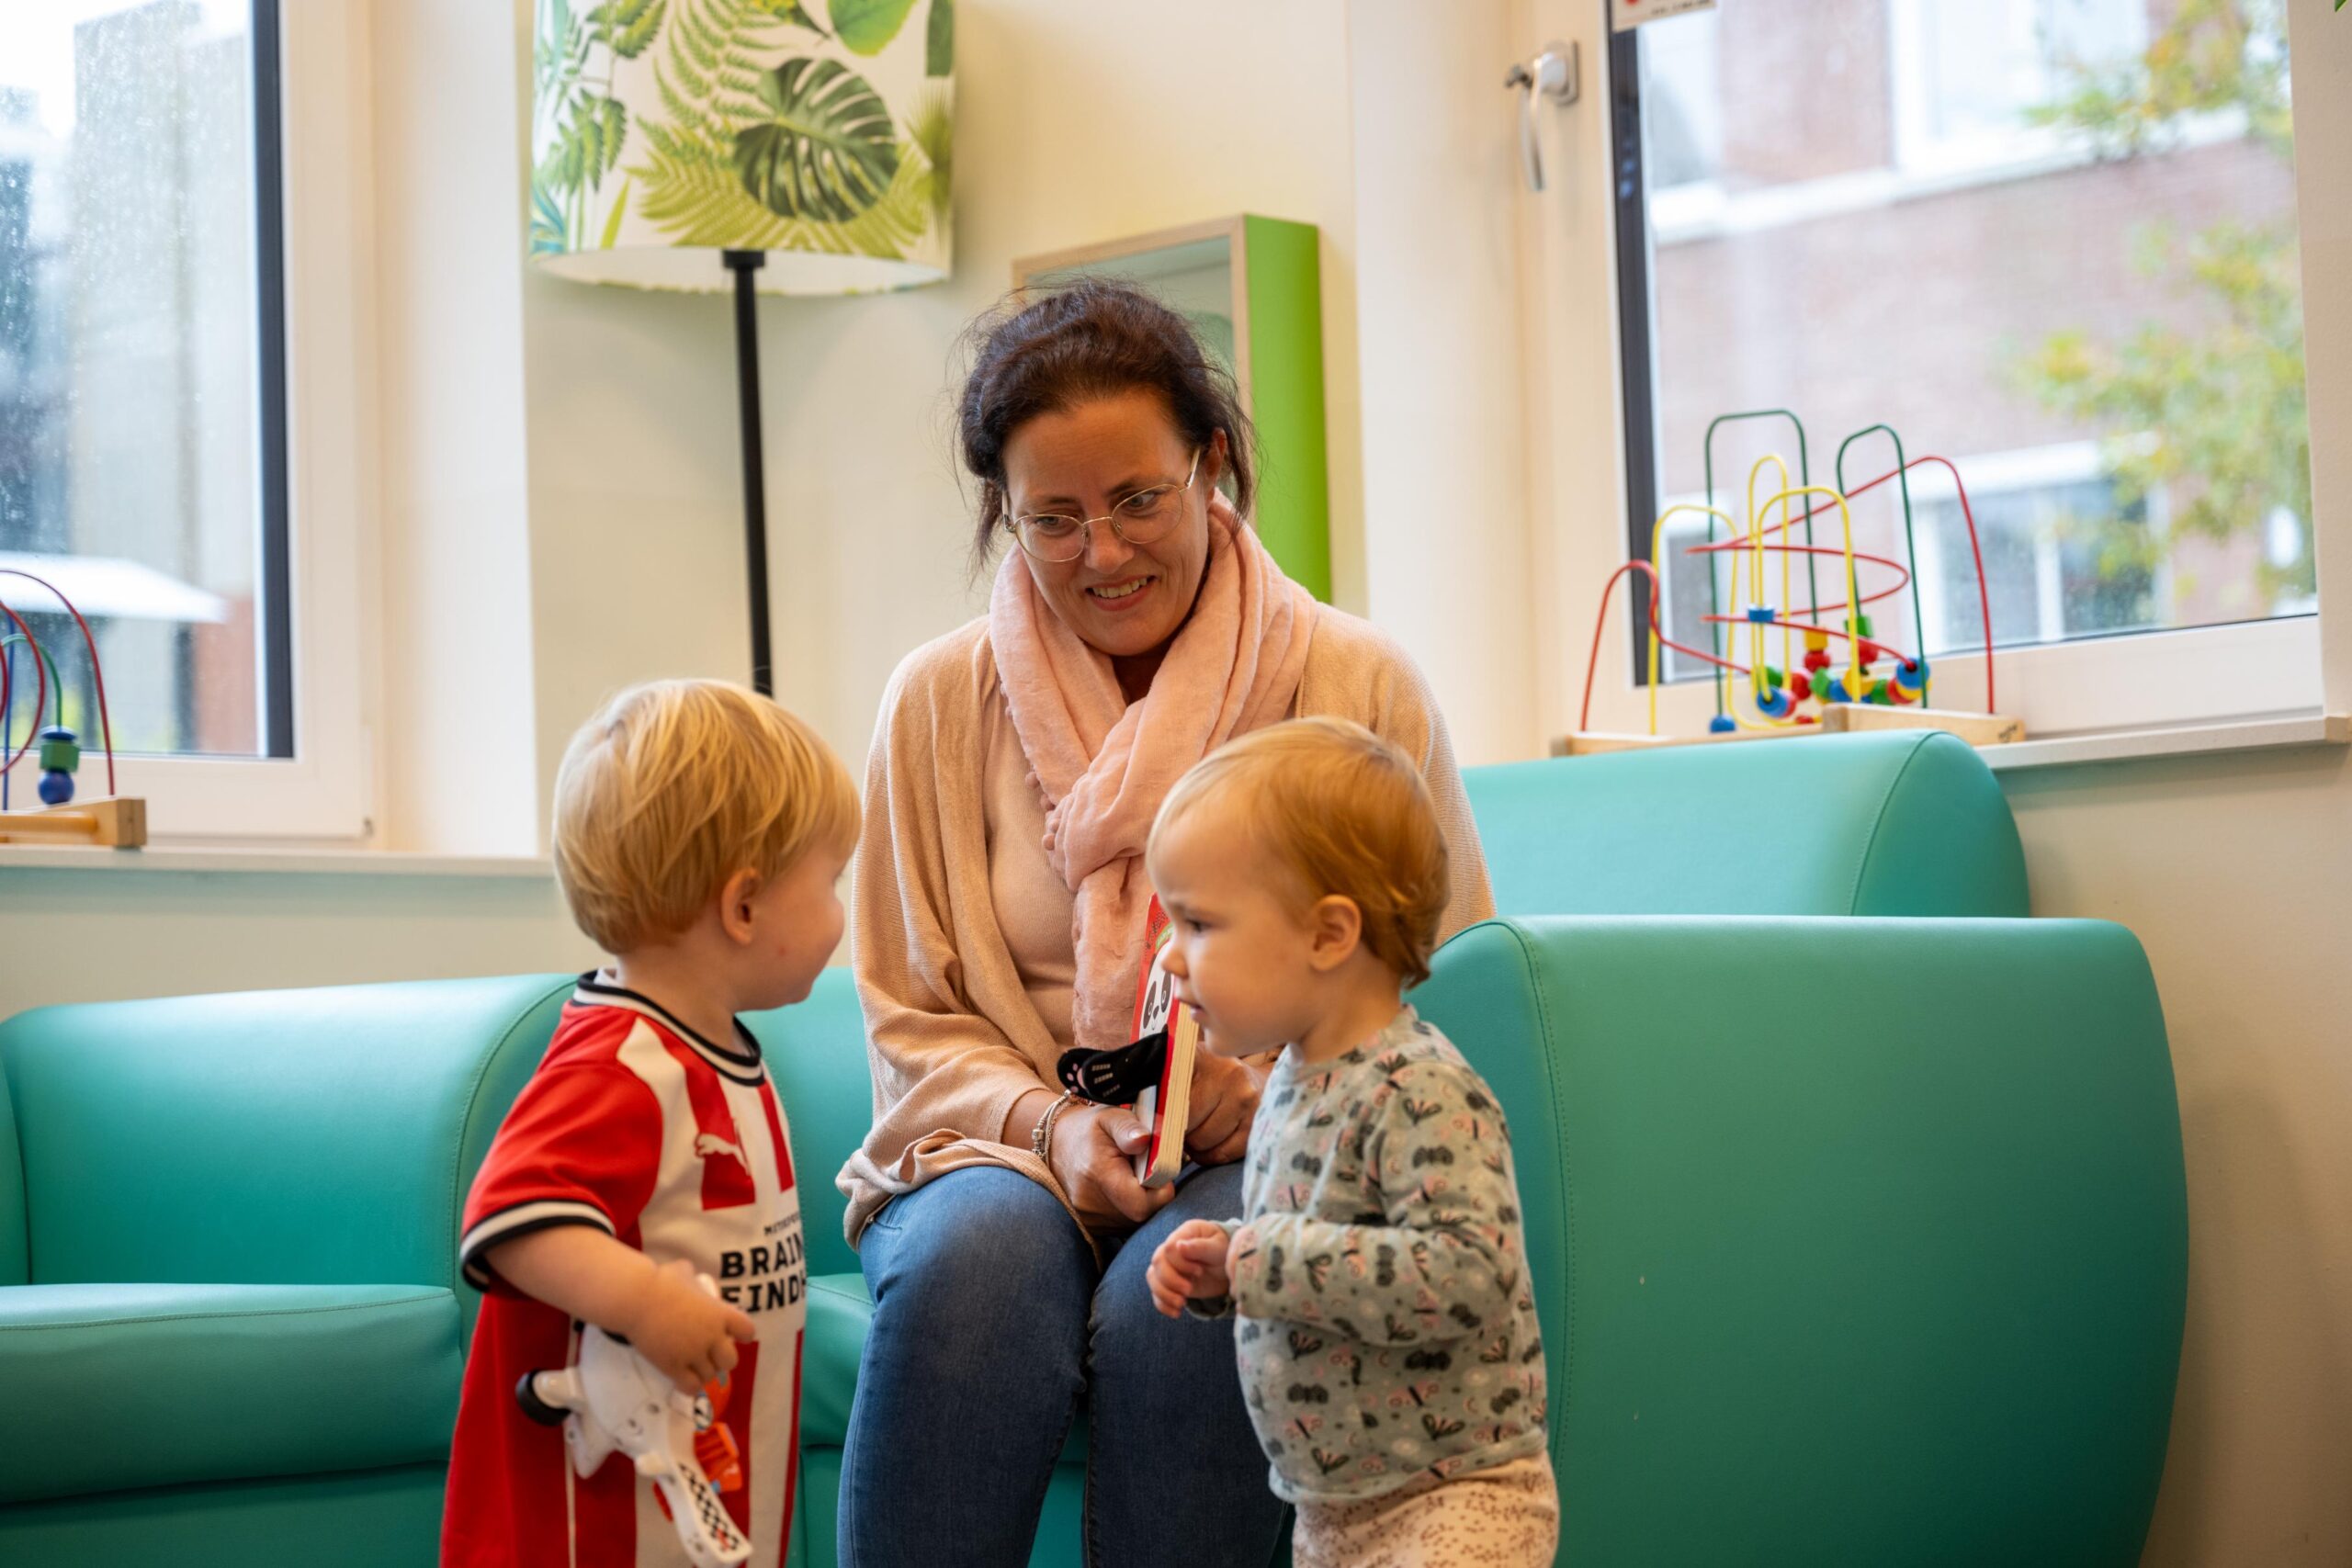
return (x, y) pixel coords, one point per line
(2052, 241)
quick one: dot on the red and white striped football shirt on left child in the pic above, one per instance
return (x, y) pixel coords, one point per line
(674, 1144)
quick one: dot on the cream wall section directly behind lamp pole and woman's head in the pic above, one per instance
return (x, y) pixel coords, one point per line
(1074, 123)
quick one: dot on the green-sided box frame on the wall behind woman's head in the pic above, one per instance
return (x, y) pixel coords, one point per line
(1252, 288)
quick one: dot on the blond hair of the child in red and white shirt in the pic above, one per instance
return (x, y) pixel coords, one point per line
(676, 786)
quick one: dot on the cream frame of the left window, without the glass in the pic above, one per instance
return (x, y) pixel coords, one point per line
(314, 450)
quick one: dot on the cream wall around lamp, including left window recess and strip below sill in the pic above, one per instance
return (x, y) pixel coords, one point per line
(559, 467)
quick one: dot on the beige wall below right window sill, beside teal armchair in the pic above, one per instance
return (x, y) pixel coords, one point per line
(2238, 878)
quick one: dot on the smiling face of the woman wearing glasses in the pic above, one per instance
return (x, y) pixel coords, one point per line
(1083, 462)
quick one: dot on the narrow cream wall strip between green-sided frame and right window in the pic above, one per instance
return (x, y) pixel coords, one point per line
(1441, 321)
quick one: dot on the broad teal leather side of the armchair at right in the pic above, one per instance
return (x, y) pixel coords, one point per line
(1878, 1266)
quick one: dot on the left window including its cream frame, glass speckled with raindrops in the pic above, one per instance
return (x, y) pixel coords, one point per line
(182, 441)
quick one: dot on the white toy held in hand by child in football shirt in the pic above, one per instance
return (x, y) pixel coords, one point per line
(620, 1402)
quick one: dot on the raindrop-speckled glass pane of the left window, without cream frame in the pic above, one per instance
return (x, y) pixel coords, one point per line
(140, 389)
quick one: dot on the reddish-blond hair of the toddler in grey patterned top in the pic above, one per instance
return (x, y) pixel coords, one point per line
(1347, 815)
